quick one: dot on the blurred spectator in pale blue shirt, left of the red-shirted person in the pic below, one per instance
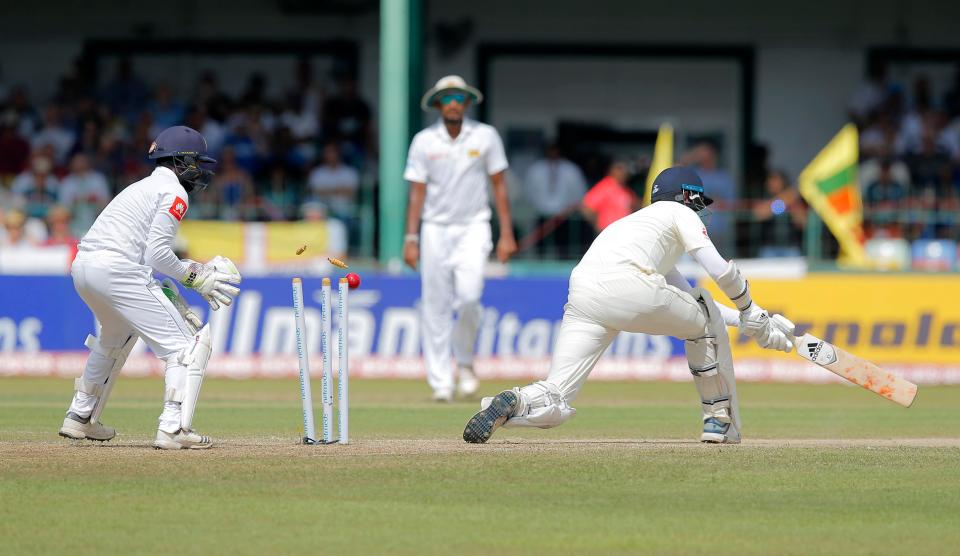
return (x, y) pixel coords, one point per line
(555, 187)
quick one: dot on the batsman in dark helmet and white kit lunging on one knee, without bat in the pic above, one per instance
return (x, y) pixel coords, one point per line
(627, 281)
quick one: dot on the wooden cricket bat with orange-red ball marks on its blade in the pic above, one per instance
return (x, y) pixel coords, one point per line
(858, 371)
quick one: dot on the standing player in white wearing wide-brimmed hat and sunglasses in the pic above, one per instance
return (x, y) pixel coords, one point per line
(449, 167)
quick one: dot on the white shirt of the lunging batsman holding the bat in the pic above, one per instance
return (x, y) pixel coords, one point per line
(651, 239)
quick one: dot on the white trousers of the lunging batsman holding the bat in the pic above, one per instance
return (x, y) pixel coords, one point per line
(601, 304)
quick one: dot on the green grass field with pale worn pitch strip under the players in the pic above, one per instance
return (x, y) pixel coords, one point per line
(604, 483)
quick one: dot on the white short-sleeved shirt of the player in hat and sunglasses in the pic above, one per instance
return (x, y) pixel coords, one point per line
(456, 171)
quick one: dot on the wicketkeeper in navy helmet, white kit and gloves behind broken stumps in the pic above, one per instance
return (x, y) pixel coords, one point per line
(113, 273)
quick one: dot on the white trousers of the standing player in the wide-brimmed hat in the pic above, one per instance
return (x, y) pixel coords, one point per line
(452, 258)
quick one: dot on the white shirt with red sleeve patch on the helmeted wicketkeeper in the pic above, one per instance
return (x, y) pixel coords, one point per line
(141, 222)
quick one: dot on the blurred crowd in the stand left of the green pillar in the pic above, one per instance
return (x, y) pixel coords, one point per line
(62, 159)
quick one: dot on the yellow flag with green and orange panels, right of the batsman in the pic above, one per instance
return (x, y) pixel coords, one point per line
(831, 186)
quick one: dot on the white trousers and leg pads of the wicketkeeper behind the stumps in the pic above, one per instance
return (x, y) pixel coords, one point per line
(125, 300)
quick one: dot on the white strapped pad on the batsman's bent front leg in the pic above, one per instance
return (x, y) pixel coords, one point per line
(711, 364)
